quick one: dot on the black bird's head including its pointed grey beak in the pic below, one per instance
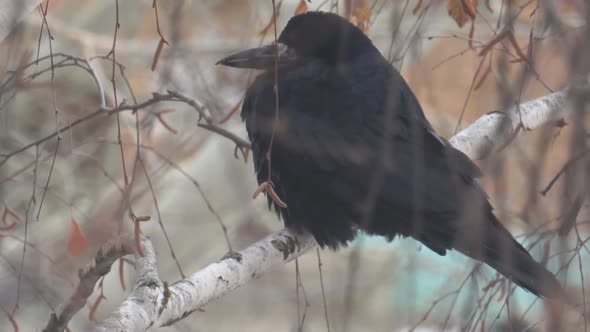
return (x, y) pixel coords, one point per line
(307, 37)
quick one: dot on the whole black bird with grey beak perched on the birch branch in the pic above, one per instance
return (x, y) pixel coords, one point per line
(352, 150)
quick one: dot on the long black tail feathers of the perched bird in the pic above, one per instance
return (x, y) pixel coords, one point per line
(497, 248)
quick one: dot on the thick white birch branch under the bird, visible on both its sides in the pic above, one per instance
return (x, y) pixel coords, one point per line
(154, 304)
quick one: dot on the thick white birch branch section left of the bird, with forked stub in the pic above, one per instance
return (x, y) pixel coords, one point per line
(151, 304)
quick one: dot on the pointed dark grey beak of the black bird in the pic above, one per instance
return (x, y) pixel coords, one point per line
(261, 57)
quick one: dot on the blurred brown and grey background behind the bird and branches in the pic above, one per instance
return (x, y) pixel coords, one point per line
(190, 180)
